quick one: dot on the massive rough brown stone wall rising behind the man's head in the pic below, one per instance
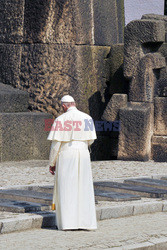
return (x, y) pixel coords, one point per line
(51, 48)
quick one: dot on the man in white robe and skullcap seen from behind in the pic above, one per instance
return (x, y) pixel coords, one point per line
(71, 134)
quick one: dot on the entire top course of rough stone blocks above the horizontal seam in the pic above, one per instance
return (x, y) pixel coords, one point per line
(62, 21)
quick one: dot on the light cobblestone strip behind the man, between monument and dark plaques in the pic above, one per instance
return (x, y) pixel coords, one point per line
(36, 172)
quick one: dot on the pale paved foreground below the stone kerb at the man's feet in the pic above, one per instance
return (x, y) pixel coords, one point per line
(115, 233)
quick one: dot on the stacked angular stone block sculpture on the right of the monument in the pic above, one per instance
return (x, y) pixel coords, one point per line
(143, 118)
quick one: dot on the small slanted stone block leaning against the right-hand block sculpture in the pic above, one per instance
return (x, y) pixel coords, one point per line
(117, 101)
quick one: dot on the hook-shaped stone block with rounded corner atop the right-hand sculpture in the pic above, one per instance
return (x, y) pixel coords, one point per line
(139, 34)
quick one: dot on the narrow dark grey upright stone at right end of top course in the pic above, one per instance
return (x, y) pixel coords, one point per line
(108, 21)
